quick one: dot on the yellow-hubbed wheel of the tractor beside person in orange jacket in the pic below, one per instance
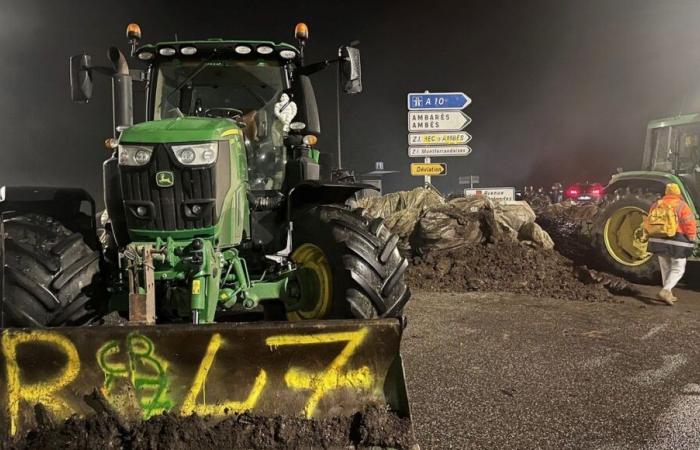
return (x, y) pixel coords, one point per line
(619, 239)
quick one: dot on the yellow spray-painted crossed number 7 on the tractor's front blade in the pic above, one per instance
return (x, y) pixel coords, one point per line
(335, 376)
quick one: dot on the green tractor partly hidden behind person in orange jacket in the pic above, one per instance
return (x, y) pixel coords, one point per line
(671, 155)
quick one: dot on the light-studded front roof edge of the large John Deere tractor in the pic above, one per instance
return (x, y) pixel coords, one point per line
(197, 48)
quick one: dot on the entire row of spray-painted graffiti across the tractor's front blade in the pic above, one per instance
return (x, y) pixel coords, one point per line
(136, 376)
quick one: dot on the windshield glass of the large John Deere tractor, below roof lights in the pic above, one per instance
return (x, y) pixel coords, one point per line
(245, 91)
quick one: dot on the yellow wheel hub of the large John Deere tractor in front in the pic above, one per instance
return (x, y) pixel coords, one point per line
(316, 283)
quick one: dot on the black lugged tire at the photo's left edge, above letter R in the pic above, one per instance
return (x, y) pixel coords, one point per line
(50, 273)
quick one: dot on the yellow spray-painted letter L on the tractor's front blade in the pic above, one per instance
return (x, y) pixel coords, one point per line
(190, 405)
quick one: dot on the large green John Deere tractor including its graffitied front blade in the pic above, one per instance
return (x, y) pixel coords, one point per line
(216, 214)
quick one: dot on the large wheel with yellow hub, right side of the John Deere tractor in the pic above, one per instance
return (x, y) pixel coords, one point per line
(348, 266)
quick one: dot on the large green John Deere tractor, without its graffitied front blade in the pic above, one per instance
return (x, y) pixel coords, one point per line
(214, 204)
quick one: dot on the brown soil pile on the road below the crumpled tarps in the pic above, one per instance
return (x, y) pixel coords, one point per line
(507, 267)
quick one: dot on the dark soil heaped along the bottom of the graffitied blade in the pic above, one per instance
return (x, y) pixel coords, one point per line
(375, 427)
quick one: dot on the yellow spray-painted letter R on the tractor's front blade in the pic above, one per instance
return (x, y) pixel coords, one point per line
(40, 391)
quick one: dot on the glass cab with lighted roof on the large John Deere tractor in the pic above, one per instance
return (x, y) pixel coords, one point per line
(250, 83)
